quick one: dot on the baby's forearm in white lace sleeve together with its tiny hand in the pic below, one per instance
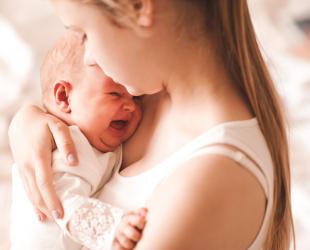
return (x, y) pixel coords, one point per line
(96, 223)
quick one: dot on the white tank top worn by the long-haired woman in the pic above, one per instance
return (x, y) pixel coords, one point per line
(252, 153)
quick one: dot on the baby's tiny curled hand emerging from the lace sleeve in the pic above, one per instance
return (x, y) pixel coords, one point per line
(129, 231)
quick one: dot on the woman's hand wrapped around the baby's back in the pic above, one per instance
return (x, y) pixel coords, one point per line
(33, 136)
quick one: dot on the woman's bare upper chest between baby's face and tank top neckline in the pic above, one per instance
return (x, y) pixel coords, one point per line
(159, 136)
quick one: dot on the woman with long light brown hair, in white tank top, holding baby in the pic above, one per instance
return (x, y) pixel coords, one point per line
(210, 158)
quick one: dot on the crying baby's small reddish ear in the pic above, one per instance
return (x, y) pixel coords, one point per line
(62, 95)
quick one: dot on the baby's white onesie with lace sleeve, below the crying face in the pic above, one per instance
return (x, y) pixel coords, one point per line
(92, 223)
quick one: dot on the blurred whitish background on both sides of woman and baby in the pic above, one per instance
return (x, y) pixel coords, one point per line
(28, 27)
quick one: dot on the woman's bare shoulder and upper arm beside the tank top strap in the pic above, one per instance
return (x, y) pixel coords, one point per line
(212, 204)
